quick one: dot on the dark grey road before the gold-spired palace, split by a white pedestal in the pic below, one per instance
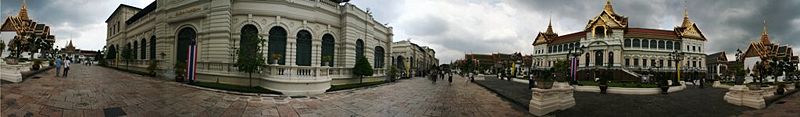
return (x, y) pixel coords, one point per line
(693, 101)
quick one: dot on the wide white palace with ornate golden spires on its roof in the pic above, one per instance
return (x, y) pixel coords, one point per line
(611, 45)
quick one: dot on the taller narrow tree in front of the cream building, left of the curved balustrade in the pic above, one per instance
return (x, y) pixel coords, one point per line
(250, 59)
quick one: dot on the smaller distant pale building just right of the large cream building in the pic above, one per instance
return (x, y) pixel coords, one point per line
(412, 59)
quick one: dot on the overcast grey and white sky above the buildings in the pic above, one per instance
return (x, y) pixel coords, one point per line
(455, 27)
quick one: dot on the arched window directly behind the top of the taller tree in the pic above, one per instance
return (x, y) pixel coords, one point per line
(248, 41)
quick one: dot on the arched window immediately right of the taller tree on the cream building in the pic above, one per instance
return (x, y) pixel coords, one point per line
(277, 45)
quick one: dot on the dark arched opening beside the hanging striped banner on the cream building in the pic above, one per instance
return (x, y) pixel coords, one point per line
(185, 38)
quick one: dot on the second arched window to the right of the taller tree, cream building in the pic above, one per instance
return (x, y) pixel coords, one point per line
(303, 50)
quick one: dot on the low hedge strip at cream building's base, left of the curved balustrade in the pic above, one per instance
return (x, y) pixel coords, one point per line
(237, 88)
